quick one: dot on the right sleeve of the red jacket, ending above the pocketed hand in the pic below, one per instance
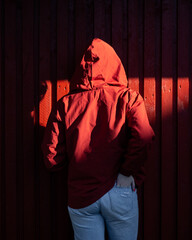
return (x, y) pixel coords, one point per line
(140, 136)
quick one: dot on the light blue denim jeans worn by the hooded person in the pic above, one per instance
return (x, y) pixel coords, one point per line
(117, 210)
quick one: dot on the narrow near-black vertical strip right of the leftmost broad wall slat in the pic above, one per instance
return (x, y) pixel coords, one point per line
(19, 124)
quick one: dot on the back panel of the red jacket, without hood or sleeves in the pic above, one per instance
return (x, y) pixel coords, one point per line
(96, 120)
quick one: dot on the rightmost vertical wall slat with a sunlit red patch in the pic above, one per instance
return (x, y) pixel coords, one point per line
(183, 121)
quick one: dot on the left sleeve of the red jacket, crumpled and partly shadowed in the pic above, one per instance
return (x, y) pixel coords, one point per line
(54, 144)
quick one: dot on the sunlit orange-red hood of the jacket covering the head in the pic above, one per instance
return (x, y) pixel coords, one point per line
(99, 66)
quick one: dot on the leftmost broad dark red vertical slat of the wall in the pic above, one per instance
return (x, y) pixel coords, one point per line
(10, 119)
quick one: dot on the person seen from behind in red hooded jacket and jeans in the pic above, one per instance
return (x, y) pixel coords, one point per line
(100, 132)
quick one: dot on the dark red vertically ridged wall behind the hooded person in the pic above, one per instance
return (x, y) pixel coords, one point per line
(40, 44)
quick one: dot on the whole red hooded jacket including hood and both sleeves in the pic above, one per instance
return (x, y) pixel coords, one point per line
(99, 129)
